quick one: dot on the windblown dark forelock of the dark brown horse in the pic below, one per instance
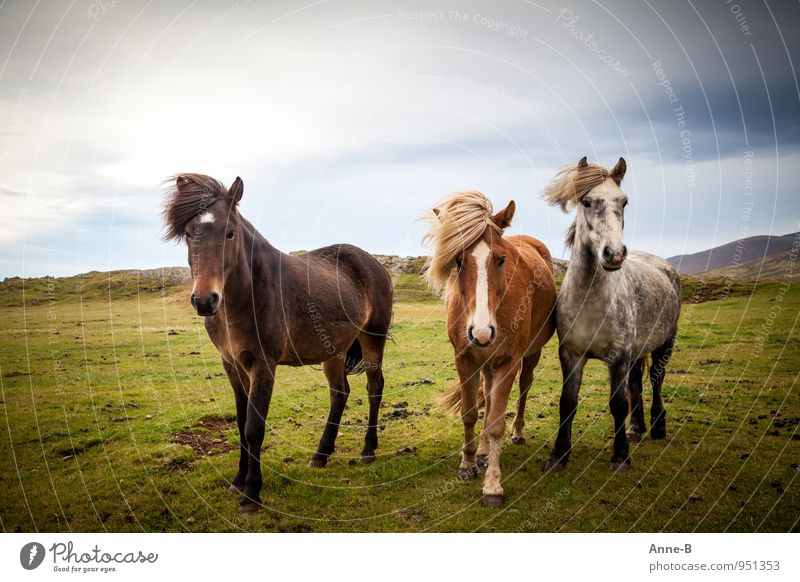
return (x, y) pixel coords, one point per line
(181, 206)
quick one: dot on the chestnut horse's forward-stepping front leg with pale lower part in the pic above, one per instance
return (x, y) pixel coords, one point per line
(495, 426)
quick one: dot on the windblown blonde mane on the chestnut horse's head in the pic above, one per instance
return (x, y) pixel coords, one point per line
(455, 224)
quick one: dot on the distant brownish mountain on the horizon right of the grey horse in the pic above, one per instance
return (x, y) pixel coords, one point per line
(739, 259)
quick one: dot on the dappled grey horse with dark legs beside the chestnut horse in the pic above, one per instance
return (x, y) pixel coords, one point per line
(613, 306)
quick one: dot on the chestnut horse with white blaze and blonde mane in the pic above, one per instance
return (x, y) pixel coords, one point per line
(500, 296)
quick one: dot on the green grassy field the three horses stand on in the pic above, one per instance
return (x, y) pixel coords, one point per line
(115, 415)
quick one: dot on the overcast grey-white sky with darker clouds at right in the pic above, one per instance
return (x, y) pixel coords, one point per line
(347, 119)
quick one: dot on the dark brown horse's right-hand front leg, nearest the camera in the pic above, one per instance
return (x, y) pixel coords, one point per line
(262, 379)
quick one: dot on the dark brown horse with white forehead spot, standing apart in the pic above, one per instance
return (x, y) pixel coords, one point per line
(263, 308)
